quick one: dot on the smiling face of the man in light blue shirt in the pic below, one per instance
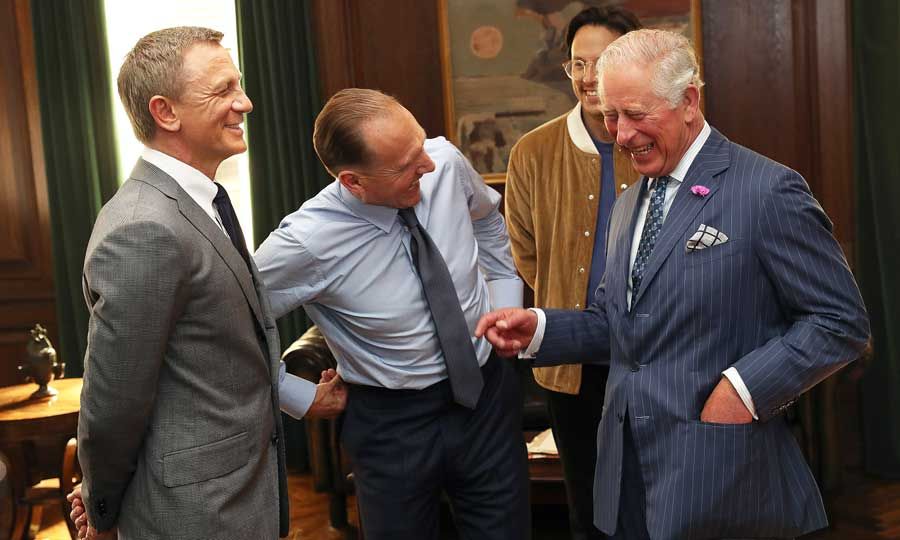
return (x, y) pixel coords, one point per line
(396, 141)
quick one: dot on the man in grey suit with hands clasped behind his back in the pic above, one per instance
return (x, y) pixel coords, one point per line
(180, 432)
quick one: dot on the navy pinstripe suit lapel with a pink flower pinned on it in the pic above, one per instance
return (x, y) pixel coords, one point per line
(710, 161)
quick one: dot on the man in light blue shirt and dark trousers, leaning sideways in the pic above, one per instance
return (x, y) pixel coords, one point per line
(348, 258)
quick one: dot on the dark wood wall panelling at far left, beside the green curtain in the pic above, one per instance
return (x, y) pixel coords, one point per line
(26, 284)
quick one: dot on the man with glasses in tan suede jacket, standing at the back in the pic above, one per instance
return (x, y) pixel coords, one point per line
(562, 180)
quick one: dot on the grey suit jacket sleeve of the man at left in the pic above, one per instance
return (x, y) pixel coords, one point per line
(133, 282)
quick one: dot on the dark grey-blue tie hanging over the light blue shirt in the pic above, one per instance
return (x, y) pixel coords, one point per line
(453, 332)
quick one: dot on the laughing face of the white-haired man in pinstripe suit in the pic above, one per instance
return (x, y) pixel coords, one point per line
(655, 134)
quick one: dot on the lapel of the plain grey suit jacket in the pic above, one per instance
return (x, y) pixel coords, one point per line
(152, 175)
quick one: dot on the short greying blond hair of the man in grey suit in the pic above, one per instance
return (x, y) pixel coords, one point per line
(153, 67)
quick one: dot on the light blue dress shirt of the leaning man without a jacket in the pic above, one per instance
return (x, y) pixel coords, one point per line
(349, 264)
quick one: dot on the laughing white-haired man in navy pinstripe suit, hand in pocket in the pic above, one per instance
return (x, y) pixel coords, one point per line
(725, 297)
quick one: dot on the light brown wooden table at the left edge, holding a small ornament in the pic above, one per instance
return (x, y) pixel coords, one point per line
(34, 445)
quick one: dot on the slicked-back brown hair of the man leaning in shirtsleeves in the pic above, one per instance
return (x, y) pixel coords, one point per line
(338, 133)
